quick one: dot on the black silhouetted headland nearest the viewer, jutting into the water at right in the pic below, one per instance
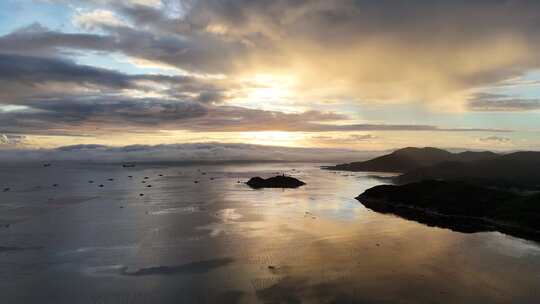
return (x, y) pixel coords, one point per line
(459, 206)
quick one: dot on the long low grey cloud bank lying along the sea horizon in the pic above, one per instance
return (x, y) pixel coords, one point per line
(199, 152)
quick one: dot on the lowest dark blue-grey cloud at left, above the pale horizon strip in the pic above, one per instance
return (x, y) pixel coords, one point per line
(78, 116)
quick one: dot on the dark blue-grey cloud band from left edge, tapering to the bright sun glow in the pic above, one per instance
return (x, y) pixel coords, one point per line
(24, 78)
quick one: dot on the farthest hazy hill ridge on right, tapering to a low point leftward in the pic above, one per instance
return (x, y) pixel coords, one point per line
(410, 158)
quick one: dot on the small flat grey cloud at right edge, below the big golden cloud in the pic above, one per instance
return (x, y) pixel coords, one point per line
(502, 103)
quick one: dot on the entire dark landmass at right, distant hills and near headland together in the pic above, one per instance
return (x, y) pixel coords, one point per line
(468, 191)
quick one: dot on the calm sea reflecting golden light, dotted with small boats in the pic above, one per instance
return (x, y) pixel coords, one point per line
(64, 239)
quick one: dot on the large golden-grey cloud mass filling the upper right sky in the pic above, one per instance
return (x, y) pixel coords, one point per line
(379, 50)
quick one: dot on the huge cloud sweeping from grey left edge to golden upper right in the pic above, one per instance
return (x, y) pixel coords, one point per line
(427, 51)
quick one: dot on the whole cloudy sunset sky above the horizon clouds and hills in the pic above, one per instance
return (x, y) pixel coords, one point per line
(347, 74)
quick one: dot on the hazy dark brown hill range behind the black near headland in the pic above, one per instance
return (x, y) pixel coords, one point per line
(518, 169)
